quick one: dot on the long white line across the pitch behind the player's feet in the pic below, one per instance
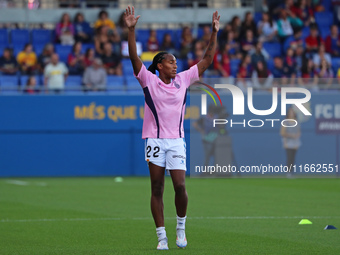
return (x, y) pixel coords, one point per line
(189, 218)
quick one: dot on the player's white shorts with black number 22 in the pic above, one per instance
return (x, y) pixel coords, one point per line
(168, 153)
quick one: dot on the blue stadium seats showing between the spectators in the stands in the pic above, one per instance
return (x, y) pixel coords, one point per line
(18, 37)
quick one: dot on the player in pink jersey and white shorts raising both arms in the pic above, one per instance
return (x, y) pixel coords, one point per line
(165, 98)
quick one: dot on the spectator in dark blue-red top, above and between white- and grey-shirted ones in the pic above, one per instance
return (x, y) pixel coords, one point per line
(76, 60)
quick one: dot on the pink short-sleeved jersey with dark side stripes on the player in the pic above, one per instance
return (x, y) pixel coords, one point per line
(165, 103)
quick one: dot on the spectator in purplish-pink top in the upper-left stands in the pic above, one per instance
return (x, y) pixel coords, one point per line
(65, 30)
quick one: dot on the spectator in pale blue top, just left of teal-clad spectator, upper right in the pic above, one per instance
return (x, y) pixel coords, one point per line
(267, 29)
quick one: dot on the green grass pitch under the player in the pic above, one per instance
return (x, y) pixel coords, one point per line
(100, 216)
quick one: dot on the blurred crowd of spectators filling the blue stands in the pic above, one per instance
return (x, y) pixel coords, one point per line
(284, 41)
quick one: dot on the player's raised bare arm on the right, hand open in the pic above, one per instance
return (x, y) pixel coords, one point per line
(210, 51)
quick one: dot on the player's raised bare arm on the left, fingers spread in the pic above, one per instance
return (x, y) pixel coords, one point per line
(131, 22)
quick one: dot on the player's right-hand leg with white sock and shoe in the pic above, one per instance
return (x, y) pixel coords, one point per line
(181, 202)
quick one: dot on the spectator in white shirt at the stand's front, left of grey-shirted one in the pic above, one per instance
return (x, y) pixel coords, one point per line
(55, 74)
